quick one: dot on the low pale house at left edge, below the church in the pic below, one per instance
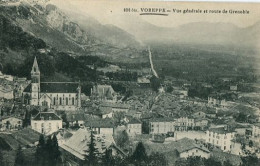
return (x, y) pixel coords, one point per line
(11, 123)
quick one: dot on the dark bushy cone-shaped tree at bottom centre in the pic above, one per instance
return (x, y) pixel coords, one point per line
(139, 156)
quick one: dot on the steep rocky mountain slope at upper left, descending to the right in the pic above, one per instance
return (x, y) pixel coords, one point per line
(46, 21)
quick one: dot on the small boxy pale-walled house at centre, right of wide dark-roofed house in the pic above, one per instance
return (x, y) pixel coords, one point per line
(134, 127)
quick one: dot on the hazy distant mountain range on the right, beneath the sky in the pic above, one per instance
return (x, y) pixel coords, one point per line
(199, 33)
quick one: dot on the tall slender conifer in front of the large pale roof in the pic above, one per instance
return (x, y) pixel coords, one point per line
(91, 157)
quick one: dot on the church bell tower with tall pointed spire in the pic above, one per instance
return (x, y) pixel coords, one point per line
(35, 78)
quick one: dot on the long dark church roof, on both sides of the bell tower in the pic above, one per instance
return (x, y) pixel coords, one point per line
(56, 87)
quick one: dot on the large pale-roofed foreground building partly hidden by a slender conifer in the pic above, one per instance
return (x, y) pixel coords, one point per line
(75, 148)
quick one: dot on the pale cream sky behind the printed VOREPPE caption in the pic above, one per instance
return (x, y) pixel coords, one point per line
(112, 11)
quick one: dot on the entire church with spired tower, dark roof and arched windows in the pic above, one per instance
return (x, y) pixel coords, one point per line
(54, 95)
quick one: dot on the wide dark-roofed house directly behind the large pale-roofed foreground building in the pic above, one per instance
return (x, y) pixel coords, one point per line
(101, 126)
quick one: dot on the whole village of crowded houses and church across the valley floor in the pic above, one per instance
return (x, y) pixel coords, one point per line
(168, 121)
